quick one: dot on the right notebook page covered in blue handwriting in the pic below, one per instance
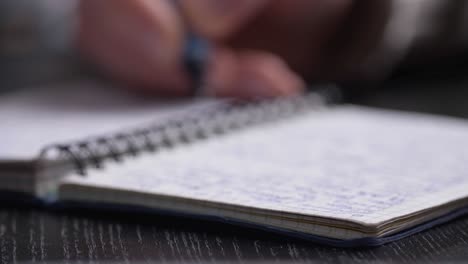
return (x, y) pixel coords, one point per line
(347, 163)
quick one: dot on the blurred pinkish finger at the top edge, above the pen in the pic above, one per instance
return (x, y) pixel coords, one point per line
(219, 19)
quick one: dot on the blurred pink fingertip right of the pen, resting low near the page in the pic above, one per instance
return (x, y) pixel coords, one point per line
(251, 75)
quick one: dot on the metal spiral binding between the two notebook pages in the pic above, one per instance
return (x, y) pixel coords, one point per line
(96, 151)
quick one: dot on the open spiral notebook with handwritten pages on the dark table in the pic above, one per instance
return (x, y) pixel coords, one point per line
(343, 175)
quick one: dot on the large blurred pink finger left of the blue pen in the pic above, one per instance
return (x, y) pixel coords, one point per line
(135, 41)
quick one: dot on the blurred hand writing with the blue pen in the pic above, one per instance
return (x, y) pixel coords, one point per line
(262, 47)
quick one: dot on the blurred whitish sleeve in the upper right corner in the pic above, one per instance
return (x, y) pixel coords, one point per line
(422, 27)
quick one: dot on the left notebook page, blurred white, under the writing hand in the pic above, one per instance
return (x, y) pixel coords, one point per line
(39, 116)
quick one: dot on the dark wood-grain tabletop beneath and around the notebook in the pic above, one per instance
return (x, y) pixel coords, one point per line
(37, 235)
